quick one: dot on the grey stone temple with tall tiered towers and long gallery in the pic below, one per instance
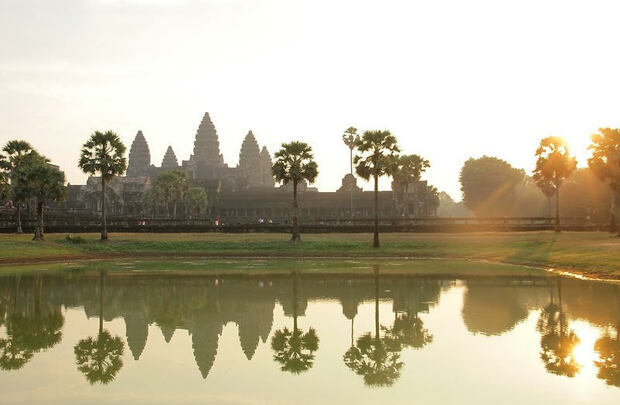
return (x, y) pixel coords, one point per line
(244, 193)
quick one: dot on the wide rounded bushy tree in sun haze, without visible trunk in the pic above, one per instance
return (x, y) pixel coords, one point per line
(488, 185)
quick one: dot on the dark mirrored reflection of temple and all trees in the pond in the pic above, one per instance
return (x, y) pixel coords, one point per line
(32, 307)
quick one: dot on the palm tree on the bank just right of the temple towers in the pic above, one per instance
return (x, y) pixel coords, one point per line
(295, 163)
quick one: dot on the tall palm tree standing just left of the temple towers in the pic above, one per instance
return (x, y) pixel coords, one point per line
(104, 154)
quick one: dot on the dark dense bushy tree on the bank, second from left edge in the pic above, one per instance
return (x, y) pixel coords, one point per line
(36, 178)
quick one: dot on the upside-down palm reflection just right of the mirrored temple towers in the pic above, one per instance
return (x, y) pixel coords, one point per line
(294, 350)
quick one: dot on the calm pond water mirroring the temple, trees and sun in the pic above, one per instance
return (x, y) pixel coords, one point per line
(130, 336)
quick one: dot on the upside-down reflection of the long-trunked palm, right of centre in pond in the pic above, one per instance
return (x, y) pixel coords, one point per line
(376, 358)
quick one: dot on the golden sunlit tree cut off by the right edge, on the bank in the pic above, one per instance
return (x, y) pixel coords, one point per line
(605, 163)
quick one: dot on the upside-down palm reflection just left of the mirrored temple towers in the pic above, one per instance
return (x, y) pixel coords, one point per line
(100, 359)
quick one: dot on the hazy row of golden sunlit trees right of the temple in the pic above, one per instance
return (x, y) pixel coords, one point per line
(492, 187)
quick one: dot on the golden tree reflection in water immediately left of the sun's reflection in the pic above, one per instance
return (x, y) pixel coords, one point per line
(557, 342)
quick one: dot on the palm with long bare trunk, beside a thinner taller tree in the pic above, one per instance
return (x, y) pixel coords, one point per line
(377, 158)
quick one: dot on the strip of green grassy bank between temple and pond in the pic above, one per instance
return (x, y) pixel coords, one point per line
(596, 254)
